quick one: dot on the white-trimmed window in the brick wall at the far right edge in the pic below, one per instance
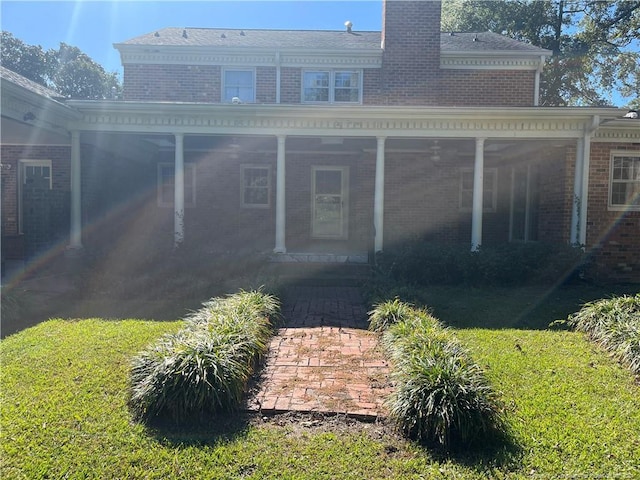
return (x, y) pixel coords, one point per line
(624, 181)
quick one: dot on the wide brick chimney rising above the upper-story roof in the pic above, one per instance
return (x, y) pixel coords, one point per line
(411, 52)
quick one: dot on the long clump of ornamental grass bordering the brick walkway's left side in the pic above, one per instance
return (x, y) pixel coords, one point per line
(205, 367)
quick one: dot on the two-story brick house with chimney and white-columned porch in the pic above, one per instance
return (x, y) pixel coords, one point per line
(327, 144)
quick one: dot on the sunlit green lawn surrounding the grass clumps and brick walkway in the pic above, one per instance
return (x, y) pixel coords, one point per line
(573, 412)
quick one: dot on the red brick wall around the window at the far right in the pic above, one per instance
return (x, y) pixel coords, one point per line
(614, 235)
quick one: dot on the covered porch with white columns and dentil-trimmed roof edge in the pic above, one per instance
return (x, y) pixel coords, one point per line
(337, 184)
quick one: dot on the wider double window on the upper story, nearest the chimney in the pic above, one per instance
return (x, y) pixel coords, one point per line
(332, 86)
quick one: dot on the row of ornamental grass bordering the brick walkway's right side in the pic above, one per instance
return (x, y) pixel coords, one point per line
(441, 397)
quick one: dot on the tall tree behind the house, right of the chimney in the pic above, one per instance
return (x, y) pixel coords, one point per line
(595, 45)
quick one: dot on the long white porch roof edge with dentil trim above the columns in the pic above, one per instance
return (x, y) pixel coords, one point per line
(349, 121)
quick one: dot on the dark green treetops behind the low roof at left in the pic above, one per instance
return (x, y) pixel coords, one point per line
(66, 70)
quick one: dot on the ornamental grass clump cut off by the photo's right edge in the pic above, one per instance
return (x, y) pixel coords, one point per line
(615, 325)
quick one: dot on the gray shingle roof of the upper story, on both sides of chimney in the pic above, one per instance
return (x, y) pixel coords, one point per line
(317, 40)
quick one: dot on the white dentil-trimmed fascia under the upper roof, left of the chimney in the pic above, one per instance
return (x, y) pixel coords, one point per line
(204, 55)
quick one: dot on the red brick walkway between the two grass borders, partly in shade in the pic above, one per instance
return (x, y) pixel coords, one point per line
(324, 360)
